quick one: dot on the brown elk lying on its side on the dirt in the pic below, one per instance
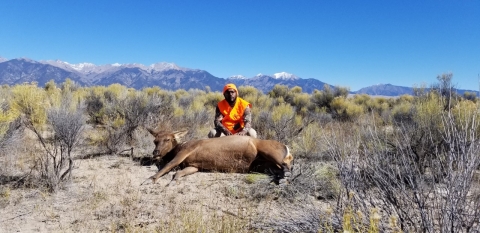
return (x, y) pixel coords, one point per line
(227, 154)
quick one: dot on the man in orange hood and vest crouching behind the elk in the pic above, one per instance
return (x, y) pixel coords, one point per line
(233, 115)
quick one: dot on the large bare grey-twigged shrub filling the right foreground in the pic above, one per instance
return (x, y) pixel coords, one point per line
(384, 170)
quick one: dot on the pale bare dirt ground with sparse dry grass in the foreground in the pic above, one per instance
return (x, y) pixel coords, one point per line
(105, 194)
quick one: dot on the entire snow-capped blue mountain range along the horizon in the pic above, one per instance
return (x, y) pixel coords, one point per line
(165, 75)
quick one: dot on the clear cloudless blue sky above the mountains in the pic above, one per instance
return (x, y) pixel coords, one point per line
(347, 43)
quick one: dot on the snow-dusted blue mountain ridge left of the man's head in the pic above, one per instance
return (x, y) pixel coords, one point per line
(165, 75)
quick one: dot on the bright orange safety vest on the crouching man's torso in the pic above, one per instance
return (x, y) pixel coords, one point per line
(233, 116)
